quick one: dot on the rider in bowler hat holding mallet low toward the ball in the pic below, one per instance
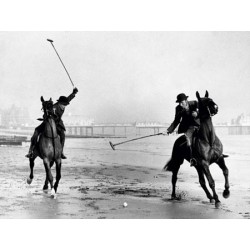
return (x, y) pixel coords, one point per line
(186, 114)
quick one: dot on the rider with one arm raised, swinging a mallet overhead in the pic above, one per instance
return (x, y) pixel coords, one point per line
(59, 108)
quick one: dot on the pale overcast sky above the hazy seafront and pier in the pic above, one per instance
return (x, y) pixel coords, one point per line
(126, 76)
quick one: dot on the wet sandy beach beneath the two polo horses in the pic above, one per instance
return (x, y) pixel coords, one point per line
(96, 181)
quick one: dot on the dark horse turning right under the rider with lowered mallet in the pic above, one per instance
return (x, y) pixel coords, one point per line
(207, 149)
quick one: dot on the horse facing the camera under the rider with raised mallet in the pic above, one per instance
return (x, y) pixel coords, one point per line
(48, 148)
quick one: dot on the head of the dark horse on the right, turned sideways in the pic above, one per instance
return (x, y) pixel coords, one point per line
(207, 107)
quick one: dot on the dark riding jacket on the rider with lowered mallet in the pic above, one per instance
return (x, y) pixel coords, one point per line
(184, 118)
